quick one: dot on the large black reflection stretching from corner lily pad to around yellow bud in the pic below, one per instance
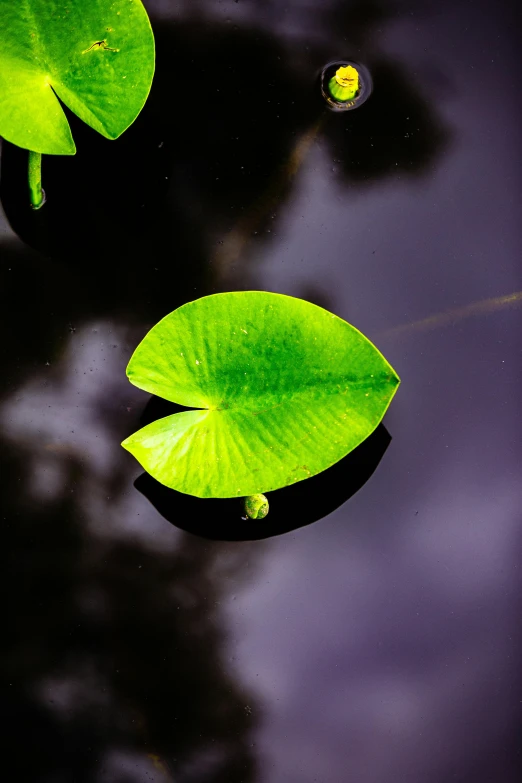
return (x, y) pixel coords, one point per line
(213, 150)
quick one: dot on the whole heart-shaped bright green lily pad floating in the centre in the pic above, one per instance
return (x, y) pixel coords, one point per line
(285, 389)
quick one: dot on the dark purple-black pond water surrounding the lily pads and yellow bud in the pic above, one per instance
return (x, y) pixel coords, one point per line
(379, 638)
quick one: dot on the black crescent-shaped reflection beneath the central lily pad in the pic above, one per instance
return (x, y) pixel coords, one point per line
(290, 508)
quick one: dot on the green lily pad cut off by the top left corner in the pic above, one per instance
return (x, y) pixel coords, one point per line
(97, 56)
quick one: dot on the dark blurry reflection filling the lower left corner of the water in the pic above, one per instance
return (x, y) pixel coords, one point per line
(113, 651)
